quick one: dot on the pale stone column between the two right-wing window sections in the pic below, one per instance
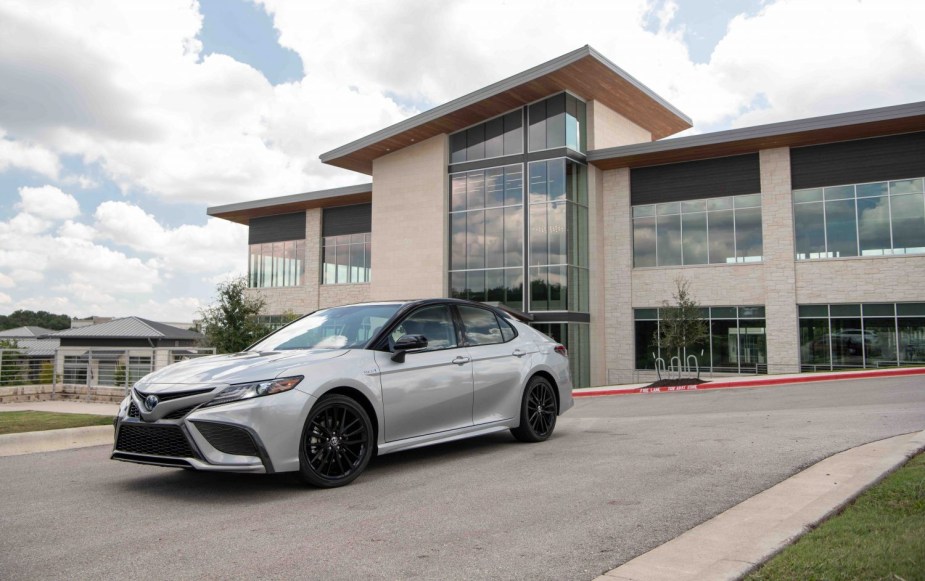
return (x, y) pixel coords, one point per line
(782, 328)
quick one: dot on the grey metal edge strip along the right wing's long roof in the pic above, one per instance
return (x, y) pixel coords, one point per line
(760, 131)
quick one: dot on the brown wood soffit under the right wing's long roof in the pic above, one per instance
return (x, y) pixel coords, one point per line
(754, 144)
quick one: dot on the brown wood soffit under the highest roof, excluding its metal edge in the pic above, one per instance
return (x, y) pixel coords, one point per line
(587, 77)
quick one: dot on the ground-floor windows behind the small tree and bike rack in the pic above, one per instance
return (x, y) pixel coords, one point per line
(737, 342)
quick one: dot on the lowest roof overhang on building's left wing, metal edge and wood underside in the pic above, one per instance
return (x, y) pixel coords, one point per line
(242, 212)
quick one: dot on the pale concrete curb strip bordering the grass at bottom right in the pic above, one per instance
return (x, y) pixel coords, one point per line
(736, 542)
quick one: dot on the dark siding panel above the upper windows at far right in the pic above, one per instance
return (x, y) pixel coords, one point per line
(863, 160)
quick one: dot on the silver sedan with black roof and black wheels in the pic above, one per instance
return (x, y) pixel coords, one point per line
(324, 394)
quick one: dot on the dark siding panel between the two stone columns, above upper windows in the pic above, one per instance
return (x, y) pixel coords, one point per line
(692, 180)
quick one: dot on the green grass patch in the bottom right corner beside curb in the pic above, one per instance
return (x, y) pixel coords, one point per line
(881, 536)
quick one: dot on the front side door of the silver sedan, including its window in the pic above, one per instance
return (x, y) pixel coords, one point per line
(431, 391)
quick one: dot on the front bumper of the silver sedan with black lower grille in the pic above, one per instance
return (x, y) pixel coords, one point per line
(258, 435)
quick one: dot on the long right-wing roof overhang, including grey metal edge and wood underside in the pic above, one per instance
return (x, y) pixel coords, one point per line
(879, 122)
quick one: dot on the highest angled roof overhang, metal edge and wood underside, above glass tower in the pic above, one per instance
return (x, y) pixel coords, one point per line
(584, 72)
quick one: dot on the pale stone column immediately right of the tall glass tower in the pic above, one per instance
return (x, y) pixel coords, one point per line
(617, 241)
